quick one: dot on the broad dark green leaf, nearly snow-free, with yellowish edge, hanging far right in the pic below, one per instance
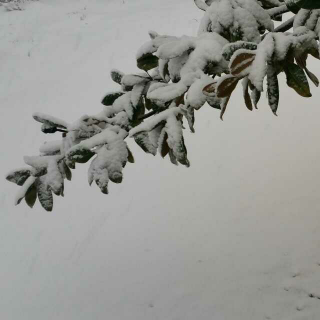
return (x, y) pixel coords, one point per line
(297, 80)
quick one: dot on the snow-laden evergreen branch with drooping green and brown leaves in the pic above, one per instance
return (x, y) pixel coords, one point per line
(236, 42)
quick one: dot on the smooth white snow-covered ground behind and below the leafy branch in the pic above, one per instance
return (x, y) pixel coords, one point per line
(234, 237)
